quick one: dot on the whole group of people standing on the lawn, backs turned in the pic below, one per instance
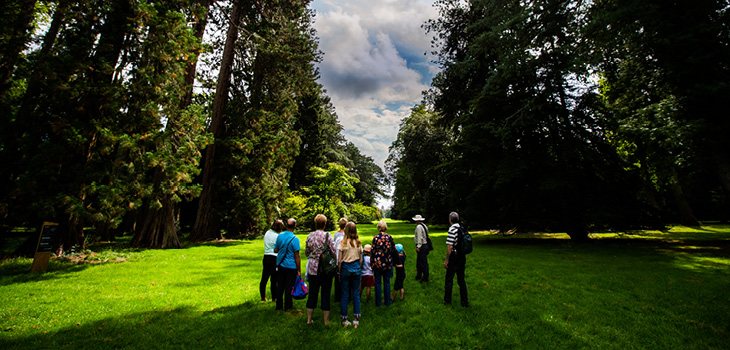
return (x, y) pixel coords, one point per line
(358, 267)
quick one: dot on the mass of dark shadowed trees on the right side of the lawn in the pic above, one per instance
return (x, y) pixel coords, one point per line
(571, 115)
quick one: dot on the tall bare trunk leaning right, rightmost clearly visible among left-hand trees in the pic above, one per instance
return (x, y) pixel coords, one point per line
(206, 227)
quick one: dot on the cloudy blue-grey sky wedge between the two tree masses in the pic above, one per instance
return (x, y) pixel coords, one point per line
(375, 65)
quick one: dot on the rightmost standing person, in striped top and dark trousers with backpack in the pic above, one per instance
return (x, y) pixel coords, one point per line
(455, 263)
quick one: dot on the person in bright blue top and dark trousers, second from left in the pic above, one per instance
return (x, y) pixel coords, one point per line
(288, 263)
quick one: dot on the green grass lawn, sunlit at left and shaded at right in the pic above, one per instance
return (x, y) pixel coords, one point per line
(645, 290)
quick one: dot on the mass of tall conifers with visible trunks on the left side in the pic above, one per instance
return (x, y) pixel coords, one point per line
(140, 118)
